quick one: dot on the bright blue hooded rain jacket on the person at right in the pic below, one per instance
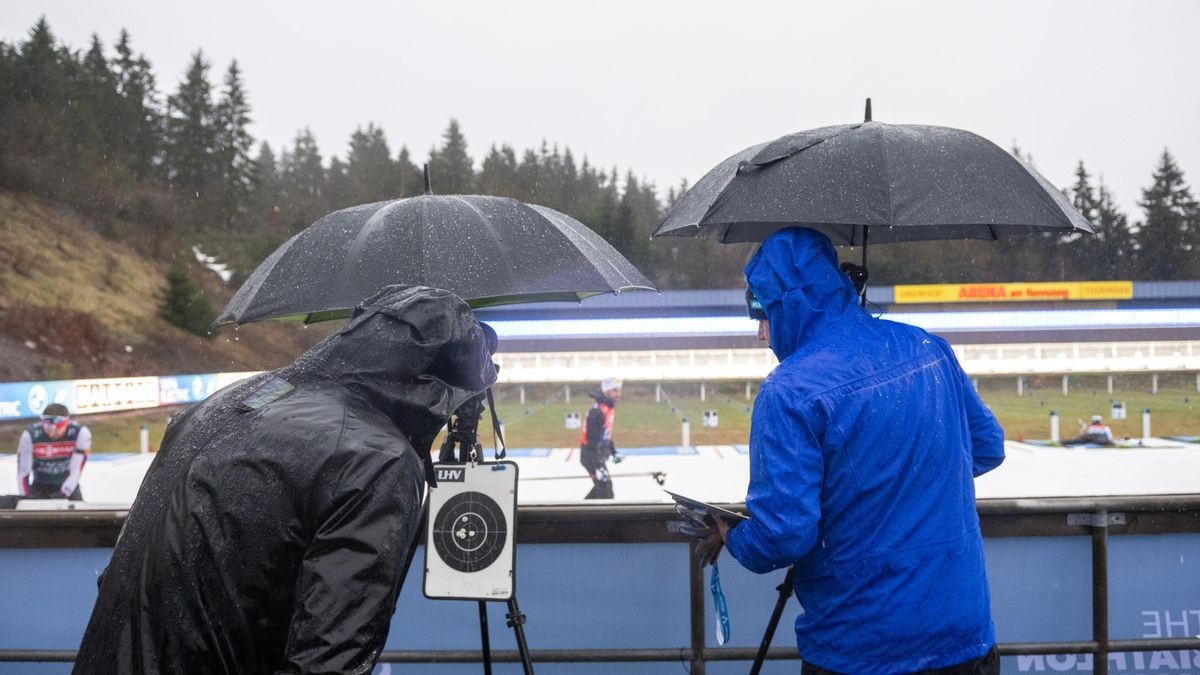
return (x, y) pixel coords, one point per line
(863, 447)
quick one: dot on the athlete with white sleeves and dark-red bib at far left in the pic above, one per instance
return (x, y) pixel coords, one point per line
(51, 456)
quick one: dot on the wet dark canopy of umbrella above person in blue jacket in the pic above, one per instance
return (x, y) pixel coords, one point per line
(872, 181)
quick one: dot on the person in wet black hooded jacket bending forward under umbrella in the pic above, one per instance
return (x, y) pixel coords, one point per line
(271, 533)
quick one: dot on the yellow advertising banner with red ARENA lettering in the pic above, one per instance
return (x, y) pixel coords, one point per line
(1041, 291)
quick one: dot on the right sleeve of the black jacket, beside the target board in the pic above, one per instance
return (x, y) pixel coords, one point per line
(350, 578)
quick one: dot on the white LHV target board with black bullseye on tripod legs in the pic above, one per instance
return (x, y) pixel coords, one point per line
(471, 543)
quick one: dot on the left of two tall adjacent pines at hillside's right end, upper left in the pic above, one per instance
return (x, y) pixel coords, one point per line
(191, 134)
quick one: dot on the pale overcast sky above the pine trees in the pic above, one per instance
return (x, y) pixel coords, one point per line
(671, 88)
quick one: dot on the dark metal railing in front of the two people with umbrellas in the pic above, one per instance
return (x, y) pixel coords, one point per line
(634, 524)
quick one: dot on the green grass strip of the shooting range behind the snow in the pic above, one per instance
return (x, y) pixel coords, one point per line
(539, 423)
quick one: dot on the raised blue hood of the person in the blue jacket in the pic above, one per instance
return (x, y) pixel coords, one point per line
(795, 276)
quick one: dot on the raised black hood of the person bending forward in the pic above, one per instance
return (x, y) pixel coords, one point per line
(415, 354)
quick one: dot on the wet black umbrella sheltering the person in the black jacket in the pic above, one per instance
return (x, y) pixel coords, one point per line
(487, 250)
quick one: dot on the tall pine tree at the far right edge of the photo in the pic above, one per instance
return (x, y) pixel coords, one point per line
(1169, 240)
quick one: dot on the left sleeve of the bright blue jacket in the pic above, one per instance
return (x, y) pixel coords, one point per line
(784, 498)
